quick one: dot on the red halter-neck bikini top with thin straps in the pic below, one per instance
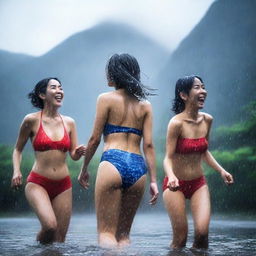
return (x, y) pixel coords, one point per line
(43, 143)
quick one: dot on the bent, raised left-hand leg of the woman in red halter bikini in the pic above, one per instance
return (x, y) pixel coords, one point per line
(39, 200)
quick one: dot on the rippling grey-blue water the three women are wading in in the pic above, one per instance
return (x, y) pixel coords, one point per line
(151, 235)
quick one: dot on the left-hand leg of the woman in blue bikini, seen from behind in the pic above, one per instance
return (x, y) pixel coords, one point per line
(107, 203)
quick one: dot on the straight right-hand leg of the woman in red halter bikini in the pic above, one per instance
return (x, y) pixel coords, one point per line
(62, 207)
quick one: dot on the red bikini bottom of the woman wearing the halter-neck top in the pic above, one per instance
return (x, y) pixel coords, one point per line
(53, 187)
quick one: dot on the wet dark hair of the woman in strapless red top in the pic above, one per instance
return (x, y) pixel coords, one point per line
(182, 85)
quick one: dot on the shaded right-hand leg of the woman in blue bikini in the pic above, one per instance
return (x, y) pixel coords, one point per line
(130, 201)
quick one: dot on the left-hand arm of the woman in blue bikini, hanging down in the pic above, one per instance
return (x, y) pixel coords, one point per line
(102, 110)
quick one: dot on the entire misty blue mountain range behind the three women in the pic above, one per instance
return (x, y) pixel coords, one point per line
(220, 49)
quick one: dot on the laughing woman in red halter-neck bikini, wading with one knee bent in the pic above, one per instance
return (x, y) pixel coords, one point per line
(48, 189)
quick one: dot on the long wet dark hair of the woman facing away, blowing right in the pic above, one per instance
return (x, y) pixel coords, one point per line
(124, 71)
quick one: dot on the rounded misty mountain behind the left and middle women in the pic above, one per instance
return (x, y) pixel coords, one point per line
(79, 62)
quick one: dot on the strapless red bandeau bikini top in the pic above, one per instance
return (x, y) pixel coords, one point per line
(187, 146)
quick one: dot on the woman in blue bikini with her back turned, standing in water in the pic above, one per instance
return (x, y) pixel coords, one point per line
(124, 117)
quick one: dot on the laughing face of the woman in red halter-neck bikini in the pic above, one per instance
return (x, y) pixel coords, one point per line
(54, 94)
